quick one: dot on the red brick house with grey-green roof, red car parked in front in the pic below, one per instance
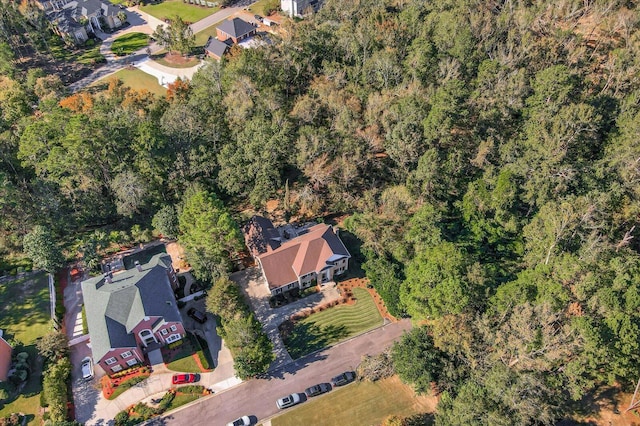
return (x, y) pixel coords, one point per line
(132, 314)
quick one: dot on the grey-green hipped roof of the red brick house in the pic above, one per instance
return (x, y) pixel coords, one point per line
(114, 309)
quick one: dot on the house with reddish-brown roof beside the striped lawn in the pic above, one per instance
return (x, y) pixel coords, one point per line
(295, 257)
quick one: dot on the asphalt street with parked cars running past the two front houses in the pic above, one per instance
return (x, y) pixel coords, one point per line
(257, 398)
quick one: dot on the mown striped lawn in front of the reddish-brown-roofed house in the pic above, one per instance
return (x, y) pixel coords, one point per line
(333, 325)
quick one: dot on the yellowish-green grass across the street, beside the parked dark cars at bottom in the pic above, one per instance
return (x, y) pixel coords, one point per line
(369, 403)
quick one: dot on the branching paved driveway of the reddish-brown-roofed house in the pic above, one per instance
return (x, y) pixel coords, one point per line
(253, 285)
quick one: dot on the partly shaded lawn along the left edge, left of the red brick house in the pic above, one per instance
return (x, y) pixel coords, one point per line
(26, 318)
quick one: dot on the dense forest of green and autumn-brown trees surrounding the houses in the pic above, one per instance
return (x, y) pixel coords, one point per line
(487, 154)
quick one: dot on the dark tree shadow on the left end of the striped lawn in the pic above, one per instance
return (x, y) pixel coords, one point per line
(302, 338)
